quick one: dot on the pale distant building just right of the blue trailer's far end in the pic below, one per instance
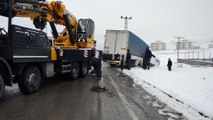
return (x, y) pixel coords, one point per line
(158, 46)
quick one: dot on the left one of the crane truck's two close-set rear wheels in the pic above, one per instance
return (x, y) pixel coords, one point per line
(74, 71)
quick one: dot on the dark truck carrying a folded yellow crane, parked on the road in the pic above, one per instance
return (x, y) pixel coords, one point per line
(27, 56)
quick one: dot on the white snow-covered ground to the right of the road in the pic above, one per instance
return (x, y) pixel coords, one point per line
(187, 89)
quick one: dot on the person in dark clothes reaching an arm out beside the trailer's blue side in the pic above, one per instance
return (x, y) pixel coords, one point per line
(147, 58)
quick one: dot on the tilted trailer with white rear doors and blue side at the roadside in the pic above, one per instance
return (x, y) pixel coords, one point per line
(119, 41)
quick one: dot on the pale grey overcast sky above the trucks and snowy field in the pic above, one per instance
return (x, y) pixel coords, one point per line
(152, 19)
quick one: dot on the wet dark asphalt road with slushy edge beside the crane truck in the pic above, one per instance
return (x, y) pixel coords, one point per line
(61, 99)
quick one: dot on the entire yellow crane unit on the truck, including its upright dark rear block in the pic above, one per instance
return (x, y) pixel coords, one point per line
(56, 13)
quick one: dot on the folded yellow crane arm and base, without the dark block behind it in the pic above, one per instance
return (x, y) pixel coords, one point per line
(55, 12)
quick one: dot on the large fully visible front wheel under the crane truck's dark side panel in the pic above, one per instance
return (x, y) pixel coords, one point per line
(30, 80)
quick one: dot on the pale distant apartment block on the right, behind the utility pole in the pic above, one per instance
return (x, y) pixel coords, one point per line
(184, 45)
